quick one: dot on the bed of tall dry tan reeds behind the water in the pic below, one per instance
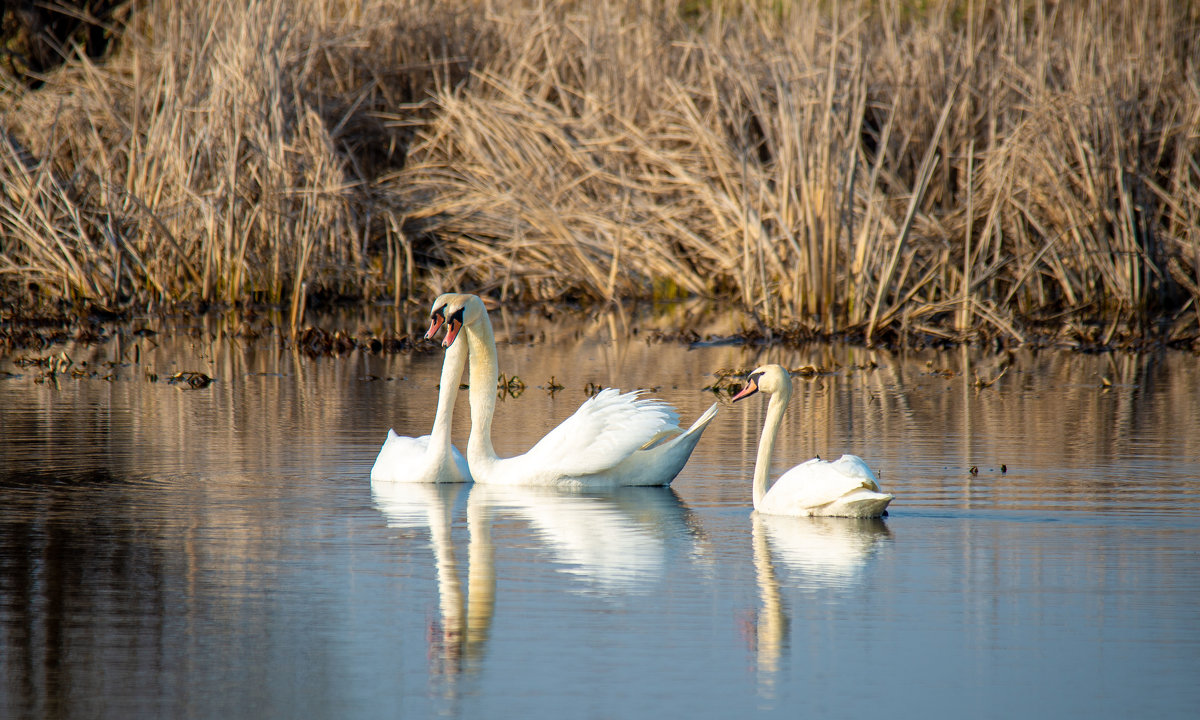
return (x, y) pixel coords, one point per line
(969, 171)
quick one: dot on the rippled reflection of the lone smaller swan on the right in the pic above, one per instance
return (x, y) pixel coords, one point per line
(824, 553)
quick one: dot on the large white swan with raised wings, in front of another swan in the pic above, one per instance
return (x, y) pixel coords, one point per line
(614, 440)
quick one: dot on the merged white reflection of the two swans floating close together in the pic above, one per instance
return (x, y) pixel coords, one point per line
(615, 542)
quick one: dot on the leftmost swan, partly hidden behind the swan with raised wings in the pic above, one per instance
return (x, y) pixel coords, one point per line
(433, 458)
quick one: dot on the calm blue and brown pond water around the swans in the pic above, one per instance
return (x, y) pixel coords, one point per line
(219, 553)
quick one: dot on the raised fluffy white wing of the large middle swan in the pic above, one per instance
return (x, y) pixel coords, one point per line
(603, 433)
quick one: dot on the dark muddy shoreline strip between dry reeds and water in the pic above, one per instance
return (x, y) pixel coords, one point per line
(329, 332)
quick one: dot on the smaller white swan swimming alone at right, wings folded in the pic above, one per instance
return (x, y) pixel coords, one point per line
(845, 488)
